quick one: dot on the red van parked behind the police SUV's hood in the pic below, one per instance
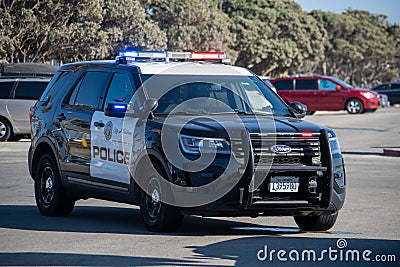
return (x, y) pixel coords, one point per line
(325, 93)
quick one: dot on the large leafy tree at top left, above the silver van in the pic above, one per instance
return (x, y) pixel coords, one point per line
(41, 30)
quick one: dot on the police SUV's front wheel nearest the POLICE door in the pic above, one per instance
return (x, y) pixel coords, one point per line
(157, 216)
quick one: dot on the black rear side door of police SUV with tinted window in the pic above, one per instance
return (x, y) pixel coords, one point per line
(74, 117)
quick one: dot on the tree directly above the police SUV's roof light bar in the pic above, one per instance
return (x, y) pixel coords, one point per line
(193, 25)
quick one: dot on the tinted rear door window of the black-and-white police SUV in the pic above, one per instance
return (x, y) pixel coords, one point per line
(87, 91)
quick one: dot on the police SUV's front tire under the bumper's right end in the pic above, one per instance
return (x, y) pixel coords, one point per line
(316, 223)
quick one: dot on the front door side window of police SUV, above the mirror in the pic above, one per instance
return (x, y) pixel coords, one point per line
(120, 89)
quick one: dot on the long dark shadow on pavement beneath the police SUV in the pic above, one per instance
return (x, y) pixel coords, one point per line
(117, 220)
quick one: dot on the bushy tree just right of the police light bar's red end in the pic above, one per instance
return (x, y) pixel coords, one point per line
(274, 36)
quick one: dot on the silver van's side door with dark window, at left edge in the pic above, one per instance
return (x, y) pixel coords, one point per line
(25, 95)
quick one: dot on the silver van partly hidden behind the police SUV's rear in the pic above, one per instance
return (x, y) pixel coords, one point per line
(17, 95)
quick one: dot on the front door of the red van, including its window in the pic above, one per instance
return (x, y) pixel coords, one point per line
(328, 98)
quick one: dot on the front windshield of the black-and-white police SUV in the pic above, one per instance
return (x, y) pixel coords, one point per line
(213, 94)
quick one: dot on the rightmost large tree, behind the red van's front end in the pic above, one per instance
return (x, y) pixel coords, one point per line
(361, 47)
